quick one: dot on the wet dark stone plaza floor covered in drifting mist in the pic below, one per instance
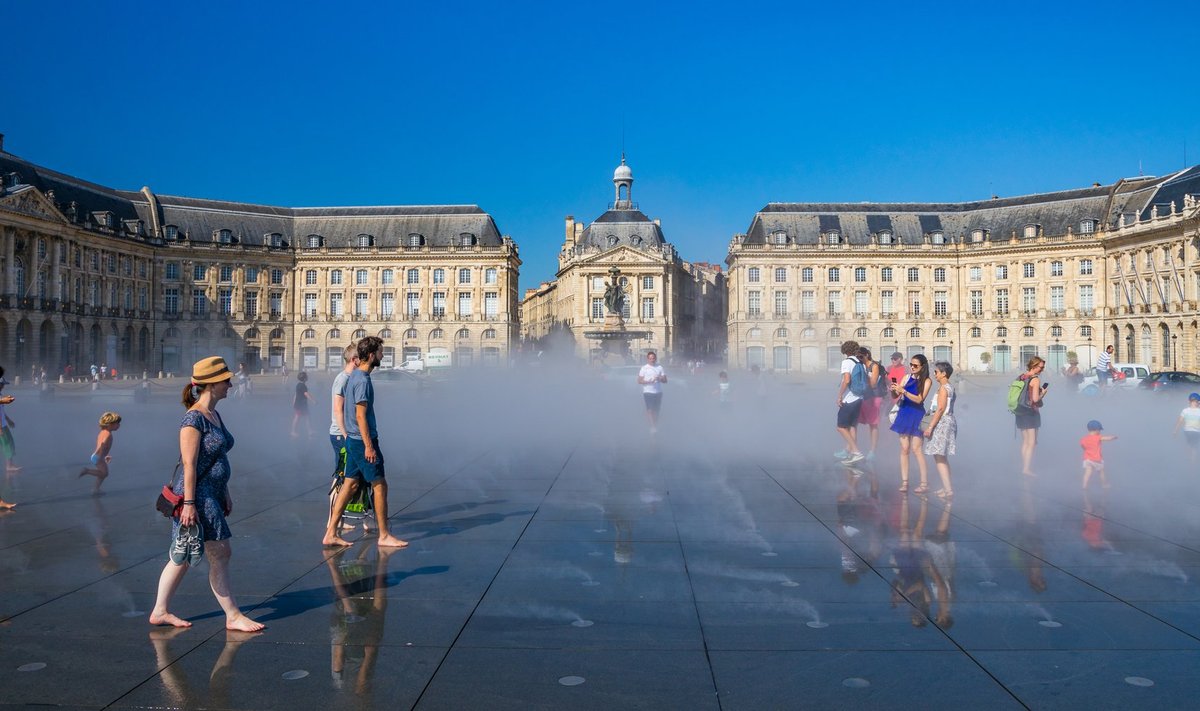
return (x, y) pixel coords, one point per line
(562, 558)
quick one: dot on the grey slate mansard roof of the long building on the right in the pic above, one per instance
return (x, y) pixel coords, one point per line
(1054, 213)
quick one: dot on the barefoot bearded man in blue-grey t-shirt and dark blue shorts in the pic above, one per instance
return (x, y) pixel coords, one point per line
(364, 459)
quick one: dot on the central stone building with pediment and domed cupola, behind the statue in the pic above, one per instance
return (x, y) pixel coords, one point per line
(679, 303)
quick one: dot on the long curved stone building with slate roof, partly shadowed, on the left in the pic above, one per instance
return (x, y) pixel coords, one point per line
(146, 282)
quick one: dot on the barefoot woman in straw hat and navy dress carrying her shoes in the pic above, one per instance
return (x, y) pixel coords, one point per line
(203, 444)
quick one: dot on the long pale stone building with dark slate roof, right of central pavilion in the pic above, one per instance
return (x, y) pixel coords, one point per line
(998, 280)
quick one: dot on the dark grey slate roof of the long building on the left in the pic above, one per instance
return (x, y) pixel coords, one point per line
(201, 219)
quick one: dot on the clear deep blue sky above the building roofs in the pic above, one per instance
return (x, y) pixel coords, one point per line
(520, 107)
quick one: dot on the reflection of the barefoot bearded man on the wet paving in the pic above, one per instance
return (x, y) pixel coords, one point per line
(357, 623)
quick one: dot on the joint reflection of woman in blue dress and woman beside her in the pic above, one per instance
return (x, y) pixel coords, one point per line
(917, 581)
